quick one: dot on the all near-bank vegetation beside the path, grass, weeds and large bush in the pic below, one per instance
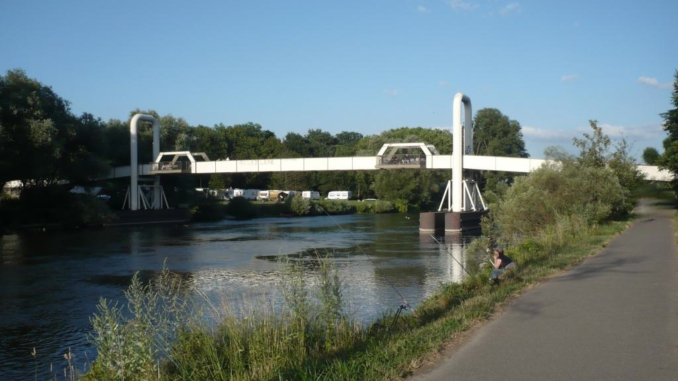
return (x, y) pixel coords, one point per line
(550, 220)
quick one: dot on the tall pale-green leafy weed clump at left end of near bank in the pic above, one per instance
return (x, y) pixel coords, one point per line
(132, 340)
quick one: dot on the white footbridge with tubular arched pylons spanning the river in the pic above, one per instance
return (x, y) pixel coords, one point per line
(416, 156)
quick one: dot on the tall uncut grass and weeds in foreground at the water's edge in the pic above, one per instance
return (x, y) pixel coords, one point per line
(156, 338)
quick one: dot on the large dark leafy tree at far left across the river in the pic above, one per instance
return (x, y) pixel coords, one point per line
(41, 141)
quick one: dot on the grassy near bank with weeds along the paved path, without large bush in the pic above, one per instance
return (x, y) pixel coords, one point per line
(311, 338)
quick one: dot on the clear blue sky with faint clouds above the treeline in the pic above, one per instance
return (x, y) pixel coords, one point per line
(364, 66)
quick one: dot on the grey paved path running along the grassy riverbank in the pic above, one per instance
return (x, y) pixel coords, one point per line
(614, 317)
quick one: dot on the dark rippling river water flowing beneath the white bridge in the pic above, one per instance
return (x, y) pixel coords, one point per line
(50, 283)
